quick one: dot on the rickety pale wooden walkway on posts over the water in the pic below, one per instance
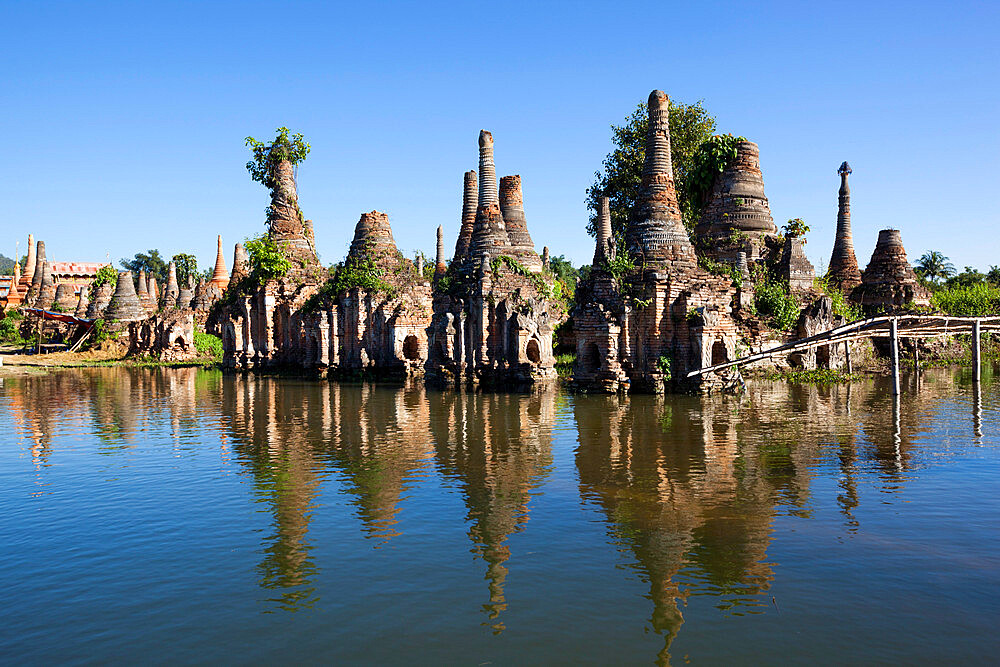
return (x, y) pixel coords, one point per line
(892, 327)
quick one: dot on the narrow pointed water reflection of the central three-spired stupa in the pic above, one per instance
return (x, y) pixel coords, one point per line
(498, 448)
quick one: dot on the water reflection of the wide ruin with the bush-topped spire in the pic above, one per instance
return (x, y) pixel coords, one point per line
(290, 433)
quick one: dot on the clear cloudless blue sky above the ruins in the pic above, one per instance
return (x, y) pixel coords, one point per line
(124, 123)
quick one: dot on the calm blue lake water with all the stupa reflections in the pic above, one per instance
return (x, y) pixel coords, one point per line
(182, 515)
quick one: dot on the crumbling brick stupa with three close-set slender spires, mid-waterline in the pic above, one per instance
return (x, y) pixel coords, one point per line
(496, 307)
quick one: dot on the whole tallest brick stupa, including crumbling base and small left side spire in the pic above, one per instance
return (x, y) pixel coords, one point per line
(645, 328)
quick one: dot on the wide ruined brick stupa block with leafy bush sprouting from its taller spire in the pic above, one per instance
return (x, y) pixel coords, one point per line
(370, 315)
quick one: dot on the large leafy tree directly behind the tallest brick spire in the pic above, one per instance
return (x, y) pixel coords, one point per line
(690, 126)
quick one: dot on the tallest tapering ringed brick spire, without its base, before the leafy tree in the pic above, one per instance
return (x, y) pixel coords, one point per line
(656, 233)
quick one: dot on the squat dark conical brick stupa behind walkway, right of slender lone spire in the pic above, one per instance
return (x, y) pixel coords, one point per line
(889, 283)
